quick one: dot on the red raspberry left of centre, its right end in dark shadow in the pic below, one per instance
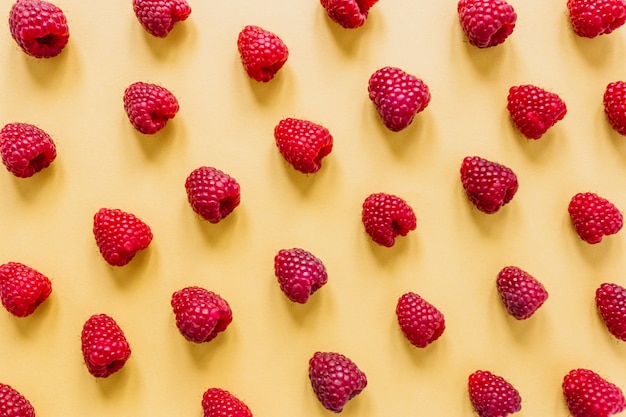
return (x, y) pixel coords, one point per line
(212, 193)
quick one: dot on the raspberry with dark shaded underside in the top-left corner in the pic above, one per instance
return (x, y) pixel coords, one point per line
(39, 28)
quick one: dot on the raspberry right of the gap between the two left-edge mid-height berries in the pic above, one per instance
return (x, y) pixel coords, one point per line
(119, 235)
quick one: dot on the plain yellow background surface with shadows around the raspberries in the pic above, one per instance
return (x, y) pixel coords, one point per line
(226, 120)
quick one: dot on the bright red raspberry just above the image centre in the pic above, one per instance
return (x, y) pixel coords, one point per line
(303, 143)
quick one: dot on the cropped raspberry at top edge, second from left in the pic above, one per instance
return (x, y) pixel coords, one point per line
(158, 17)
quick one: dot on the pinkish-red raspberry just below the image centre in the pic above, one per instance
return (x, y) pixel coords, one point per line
(299, 273)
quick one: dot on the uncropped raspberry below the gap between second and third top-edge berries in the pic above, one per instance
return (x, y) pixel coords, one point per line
(262, 52)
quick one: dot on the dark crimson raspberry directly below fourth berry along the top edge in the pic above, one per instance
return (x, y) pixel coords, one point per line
(488, 185)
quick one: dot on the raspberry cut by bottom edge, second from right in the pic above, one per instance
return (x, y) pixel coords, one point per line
(492, 396)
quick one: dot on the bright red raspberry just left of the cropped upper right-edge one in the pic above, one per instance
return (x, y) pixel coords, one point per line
(534, 110)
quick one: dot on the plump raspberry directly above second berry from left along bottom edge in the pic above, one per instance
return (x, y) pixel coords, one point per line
(200, 314)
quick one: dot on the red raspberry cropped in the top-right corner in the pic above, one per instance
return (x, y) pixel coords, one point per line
(591, 18)
